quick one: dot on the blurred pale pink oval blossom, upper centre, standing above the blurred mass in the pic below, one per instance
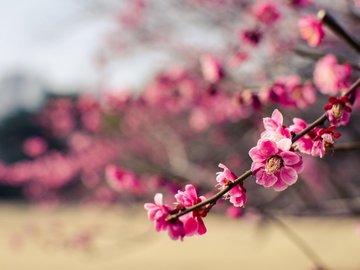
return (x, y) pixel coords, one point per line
(211, 68)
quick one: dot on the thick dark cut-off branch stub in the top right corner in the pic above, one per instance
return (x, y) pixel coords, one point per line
(330, 22)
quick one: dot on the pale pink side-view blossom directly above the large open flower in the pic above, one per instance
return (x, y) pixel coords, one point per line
(276, 131)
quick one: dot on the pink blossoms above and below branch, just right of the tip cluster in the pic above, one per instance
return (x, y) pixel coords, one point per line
(193, 221)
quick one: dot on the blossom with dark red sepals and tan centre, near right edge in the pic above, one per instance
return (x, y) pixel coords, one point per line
(338, 111)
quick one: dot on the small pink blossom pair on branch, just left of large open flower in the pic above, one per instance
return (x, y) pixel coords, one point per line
(237, 195)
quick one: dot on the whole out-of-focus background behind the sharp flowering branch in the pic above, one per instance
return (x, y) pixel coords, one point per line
(105, 103)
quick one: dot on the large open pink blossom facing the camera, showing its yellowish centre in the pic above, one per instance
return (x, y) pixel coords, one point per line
(274, 167)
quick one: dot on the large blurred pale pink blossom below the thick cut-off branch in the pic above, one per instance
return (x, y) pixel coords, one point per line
(329, 76)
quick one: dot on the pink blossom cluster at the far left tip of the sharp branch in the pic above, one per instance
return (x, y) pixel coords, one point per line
(158, 212)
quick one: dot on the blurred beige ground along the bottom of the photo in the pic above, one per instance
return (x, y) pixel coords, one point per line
(88, 238)
